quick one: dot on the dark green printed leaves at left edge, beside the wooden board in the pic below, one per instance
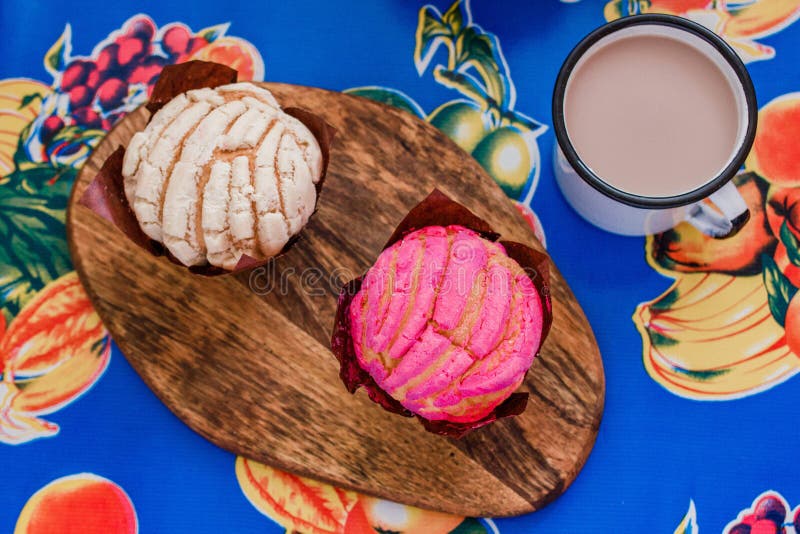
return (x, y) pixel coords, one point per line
(33, 247)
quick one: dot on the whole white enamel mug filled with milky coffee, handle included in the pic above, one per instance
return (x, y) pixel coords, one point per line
(653, 114)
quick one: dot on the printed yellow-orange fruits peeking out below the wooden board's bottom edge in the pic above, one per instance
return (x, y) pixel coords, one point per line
(303, 505)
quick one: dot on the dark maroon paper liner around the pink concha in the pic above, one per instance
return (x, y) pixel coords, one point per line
(438, 210)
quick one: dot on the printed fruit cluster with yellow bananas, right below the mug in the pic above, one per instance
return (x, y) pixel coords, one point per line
(730, 324)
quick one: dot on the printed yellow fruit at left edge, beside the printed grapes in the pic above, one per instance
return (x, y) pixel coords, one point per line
(13, 119)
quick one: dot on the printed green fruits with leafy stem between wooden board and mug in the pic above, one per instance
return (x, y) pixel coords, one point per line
(484, 123)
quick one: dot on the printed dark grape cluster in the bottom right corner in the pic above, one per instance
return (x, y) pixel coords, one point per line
(769, 514)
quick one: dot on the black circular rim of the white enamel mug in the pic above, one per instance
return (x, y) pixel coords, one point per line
(632, 199)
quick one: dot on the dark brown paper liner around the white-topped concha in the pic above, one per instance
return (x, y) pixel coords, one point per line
(105, 195)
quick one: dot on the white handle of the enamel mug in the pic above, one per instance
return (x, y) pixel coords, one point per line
(735, 213)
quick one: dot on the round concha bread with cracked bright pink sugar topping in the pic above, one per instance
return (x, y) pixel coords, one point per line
(447, 323)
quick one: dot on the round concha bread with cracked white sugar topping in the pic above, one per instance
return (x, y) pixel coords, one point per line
(222, 172)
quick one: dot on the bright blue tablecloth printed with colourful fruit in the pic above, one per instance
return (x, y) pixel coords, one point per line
(700, 338)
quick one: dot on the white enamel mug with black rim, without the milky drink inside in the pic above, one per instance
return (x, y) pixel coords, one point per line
(626, 213)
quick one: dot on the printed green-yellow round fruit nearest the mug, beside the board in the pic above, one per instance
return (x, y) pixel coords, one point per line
(505, 155)
